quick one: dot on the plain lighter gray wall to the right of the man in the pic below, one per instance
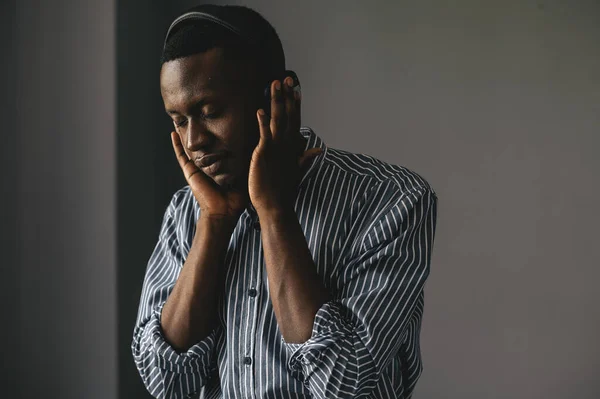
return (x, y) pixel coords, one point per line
(497, 104)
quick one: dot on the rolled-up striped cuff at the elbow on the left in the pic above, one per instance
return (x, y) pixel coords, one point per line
(196, 360)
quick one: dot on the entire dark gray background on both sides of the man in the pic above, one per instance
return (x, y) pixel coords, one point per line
(495, 103)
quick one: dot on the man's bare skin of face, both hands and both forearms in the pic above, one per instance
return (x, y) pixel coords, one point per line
(214, 103)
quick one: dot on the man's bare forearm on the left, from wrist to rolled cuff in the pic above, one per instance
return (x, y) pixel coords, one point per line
(190, 312)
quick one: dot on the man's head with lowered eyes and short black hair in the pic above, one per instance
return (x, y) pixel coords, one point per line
(212, 83)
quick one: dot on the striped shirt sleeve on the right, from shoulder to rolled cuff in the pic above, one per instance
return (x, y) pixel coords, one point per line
(356, 334)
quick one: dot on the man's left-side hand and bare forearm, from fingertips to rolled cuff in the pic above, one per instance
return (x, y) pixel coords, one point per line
(191, 309)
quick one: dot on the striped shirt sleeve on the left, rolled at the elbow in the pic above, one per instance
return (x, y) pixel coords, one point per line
(165, 372)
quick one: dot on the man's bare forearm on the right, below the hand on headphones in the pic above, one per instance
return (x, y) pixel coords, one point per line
(295, 288)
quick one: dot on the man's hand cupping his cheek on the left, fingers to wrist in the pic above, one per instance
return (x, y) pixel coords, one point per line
(215, 203)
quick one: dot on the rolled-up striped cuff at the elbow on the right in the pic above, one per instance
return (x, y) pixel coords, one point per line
(330, 328)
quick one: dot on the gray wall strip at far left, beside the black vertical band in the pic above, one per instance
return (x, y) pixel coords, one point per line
(59, 312)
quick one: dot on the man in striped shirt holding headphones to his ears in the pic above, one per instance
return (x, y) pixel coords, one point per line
(285, 268)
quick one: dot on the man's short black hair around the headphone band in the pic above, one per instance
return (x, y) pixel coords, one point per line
(194, 36)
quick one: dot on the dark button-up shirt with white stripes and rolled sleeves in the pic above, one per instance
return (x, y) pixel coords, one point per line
(370, 227)
